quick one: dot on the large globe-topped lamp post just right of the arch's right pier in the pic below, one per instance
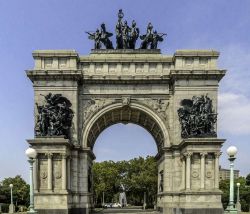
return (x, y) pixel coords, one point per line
(231, 151)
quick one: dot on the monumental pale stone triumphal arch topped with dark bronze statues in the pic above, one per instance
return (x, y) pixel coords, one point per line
(174, 97)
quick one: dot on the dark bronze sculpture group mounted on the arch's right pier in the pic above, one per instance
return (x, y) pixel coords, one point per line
(197, 117)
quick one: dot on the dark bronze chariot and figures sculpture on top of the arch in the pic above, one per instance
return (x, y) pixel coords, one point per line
(126, 36)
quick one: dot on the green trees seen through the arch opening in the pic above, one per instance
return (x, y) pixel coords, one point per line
(138, 175)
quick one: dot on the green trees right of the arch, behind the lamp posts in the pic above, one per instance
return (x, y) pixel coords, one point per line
(244, 192)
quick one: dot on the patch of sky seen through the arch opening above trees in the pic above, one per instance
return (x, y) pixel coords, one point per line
(124, 142)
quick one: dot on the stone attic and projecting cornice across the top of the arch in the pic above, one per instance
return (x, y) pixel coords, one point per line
(125, 65)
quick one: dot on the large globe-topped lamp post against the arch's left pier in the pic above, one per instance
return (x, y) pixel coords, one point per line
(31, 154)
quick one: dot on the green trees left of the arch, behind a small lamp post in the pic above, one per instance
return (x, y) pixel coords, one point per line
(20, 191)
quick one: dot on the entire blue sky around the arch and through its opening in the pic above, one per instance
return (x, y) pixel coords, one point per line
(29, 25)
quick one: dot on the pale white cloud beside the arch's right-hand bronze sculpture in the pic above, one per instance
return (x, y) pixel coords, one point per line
(234, 113)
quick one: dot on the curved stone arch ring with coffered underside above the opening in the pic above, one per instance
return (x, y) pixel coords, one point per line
(133, 113)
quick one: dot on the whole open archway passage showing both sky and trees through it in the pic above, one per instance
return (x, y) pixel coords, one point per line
(128, 151)
